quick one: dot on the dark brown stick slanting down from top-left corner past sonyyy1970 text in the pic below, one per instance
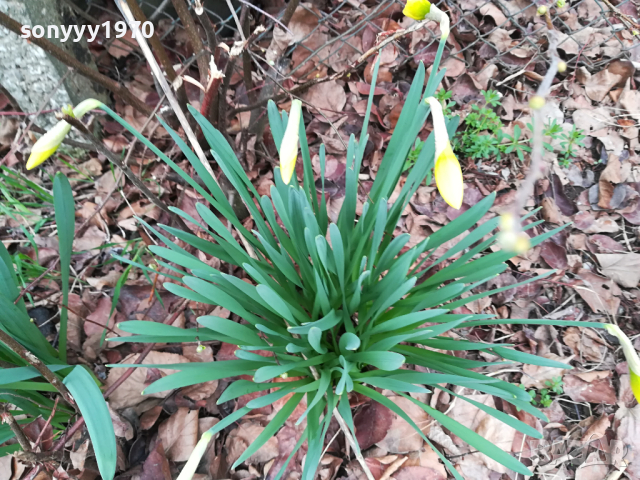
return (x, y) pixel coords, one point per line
(80, 67)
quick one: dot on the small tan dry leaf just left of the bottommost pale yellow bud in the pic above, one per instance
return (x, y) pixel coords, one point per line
(179, 434)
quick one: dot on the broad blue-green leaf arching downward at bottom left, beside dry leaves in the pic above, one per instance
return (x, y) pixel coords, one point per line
(97, 418)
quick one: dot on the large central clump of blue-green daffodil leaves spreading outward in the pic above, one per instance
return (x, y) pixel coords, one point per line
(335, 305)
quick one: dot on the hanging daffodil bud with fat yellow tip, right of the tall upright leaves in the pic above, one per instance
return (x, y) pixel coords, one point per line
(447, 169)
